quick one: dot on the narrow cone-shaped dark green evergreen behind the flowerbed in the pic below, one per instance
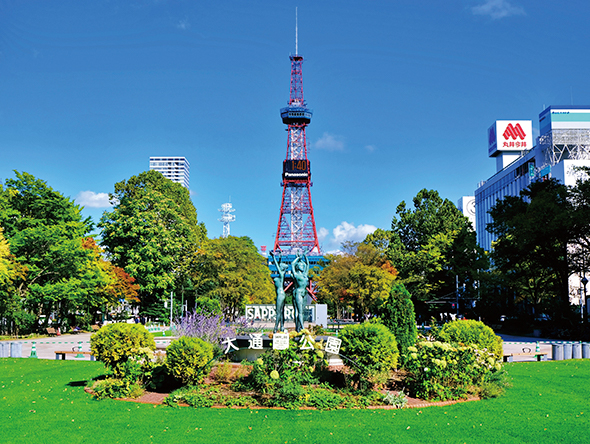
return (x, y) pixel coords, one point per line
(397, 314)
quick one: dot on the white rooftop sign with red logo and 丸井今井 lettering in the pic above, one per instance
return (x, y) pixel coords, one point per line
(510, 135)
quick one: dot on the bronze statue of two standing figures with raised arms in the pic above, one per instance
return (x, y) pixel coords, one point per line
(300, 272)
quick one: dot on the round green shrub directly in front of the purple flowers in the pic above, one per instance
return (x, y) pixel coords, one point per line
(189, 359)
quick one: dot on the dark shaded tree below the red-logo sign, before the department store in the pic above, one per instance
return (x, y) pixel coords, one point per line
(531, 250)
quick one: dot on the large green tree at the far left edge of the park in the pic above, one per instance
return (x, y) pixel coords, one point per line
(45, 230)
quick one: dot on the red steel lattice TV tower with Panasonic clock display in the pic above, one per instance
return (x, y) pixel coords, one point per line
(296, 229)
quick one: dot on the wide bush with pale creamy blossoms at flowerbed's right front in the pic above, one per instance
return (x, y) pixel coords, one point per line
(442, 371)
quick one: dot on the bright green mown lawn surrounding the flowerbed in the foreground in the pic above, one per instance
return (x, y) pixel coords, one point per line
(43, 400)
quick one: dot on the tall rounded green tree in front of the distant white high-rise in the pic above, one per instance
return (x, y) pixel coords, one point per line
(152, 232)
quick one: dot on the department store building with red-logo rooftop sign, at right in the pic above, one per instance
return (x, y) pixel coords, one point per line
(563, 144)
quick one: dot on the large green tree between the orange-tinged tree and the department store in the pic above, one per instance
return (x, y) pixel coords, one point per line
(433, 244)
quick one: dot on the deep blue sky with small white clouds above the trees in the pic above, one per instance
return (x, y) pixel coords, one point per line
(402, 93)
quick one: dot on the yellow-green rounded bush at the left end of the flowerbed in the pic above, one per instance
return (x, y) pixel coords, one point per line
(115, 344)
